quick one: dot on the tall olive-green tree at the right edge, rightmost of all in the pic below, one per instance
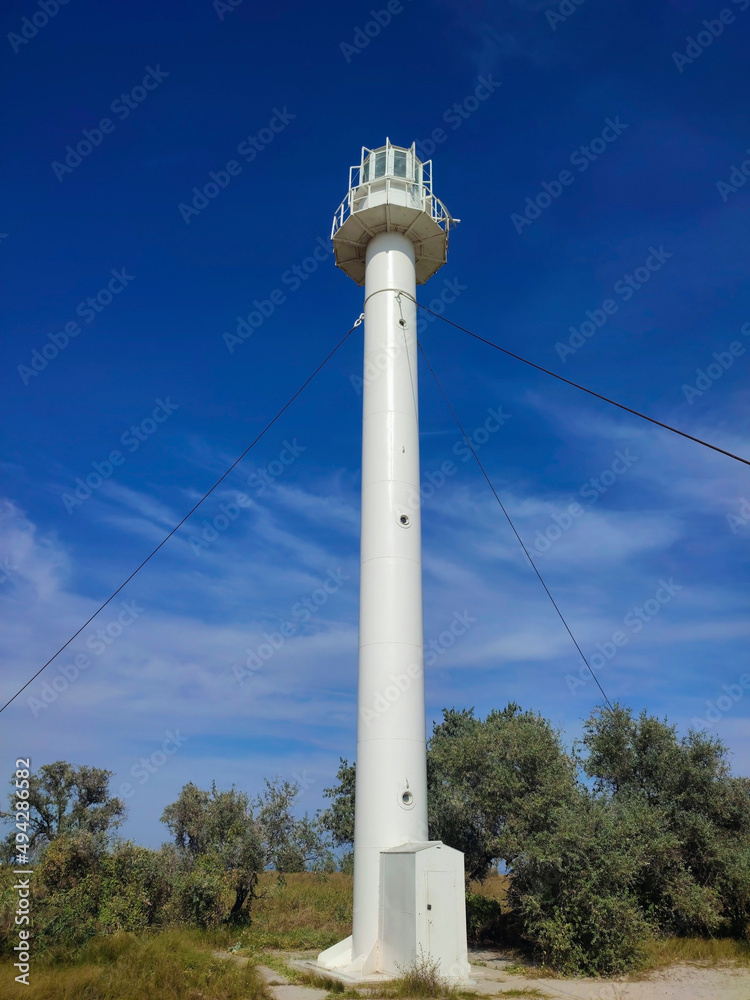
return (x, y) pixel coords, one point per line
(705, 879)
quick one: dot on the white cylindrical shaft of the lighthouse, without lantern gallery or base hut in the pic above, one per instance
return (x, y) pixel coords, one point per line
(391, 790)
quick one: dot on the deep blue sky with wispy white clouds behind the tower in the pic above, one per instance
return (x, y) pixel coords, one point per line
(512, 95)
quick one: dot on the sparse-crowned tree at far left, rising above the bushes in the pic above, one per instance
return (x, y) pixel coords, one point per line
(64, 800)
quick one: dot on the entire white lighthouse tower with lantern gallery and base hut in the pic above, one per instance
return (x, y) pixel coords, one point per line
(390, 234)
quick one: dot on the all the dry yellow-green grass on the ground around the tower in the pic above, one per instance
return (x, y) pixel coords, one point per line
(299, 913)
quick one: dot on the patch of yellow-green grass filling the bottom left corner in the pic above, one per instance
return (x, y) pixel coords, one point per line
(164, 966)
